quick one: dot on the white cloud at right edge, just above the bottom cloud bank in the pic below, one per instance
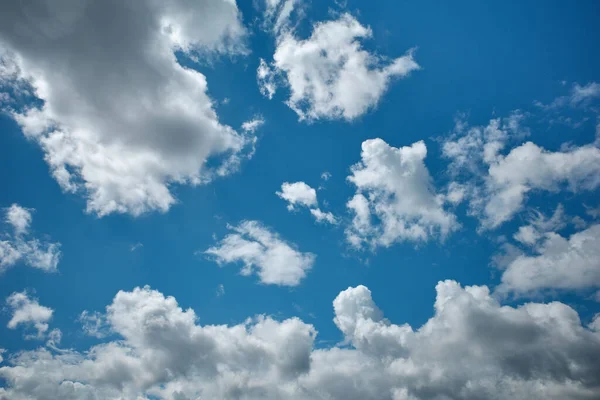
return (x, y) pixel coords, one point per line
(560, 263)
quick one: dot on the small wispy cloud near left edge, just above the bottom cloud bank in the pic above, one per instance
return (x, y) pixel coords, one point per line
(27, 312)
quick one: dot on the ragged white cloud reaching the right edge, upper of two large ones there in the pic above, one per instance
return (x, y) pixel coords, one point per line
(498, 184)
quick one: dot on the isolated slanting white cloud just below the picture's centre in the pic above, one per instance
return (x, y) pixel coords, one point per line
(263, 252)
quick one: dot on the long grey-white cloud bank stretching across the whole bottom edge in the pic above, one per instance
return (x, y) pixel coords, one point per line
(471, 348)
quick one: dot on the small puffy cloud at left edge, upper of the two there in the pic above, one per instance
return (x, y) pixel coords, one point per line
(20, 246)
